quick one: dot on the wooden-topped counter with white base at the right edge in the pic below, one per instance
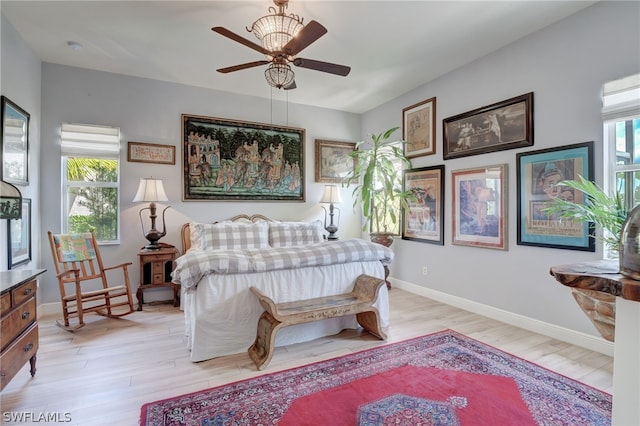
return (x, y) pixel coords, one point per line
(603, 277)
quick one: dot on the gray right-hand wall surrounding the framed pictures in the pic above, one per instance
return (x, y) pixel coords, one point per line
(565, 66)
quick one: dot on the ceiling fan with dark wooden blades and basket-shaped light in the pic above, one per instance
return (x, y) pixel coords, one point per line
(283, 37)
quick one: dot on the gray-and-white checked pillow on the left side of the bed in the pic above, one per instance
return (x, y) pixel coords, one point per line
(229, 235)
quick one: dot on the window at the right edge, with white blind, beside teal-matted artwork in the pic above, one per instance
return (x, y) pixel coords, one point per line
(621, 116)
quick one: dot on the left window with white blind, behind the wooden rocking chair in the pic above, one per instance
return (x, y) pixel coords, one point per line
(91, 180)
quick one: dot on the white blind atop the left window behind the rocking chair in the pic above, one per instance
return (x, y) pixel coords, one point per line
(86, 139)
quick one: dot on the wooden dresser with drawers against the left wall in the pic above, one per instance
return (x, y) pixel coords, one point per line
(19, 324)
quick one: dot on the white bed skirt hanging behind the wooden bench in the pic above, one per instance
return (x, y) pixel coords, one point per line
(221, 315)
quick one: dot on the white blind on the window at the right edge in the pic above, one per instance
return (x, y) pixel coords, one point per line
(621, 98)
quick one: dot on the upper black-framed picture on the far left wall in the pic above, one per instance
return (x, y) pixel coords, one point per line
(15, 143)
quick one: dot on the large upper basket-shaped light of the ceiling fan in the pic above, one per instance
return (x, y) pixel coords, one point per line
(277, 29)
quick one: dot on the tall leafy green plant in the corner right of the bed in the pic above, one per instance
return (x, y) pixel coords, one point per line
(378, 190)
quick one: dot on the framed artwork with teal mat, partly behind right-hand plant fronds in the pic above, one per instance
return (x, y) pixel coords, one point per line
(538, 174)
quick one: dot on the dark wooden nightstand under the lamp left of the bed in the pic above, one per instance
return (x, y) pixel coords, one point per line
(155, 272)
